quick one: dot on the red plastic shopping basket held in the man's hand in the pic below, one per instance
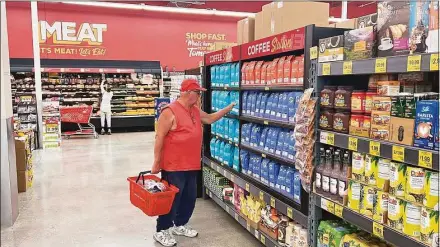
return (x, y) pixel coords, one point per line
(152, 204)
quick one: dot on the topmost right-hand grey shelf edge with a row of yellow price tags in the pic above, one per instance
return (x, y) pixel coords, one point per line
(394, 64)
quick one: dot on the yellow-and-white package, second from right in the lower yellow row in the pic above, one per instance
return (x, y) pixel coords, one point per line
(411, 220)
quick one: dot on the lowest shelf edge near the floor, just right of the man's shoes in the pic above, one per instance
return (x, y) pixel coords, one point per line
(264, 239)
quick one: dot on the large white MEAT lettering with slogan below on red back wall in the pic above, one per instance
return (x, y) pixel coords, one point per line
(71, 38)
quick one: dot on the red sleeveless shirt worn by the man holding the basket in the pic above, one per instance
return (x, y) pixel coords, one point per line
(182, 146)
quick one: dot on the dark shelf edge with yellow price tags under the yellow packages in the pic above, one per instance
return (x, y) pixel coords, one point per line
(389, 235)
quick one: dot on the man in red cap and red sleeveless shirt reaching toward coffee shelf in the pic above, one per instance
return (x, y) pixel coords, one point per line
(177, 155)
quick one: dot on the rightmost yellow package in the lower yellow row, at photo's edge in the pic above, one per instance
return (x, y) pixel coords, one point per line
(429, 226)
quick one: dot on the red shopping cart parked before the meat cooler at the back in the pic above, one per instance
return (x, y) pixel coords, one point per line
(81, 116)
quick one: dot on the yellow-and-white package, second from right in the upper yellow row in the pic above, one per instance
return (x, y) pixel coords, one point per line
(415, 184)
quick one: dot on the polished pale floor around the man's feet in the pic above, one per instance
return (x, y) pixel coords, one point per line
(80, 198)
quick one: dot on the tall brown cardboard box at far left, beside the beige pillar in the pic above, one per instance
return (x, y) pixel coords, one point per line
(24, 164)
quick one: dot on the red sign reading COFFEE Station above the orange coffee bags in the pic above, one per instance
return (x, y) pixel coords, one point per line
(283, 42)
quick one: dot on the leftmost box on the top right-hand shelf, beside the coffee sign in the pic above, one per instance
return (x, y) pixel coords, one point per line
(331, 49)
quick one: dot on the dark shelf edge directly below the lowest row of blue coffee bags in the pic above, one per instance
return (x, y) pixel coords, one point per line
(285, 206)
